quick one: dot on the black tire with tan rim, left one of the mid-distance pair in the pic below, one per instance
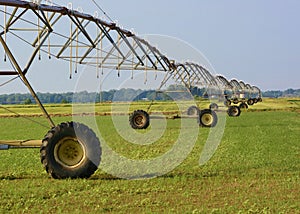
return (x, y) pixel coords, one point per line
(139, 119)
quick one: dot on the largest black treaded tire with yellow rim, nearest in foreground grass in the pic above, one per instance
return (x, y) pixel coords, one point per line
(70, 150)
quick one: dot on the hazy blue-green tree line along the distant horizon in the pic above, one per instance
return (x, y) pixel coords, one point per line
(175, 92)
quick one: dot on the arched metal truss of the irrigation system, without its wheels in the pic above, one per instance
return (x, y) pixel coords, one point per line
(83, 39)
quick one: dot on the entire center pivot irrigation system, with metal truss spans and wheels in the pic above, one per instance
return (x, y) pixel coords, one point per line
(71, 149)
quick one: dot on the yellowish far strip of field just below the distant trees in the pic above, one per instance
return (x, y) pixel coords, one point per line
(268, 104)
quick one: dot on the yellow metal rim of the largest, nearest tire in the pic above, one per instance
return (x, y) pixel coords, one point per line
(69, 152)
